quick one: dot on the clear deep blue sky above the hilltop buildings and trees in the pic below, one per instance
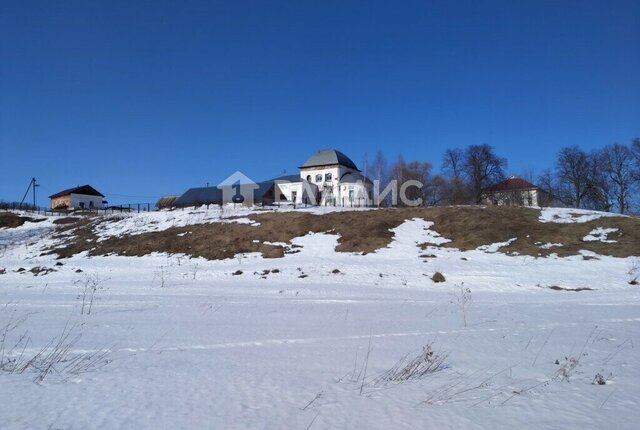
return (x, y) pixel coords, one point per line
(145, 98)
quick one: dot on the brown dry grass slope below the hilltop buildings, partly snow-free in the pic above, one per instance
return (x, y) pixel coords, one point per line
(270, 233)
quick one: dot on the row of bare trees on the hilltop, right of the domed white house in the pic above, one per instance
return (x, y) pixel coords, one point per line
(606, 179)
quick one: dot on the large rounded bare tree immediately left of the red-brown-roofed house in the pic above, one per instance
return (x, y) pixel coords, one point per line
(482, 168)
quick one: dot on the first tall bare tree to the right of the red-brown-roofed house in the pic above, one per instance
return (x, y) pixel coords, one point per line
(572, 170)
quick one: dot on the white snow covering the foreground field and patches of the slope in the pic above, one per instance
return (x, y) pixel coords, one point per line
(304, 341)
